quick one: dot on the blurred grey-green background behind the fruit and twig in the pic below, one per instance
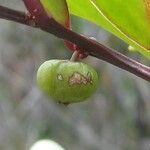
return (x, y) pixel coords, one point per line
(117, 117)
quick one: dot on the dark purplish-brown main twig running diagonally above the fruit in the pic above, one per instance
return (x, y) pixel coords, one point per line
(94, 48)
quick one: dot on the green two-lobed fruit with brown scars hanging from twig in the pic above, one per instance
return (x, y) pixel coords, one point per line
(66, 81)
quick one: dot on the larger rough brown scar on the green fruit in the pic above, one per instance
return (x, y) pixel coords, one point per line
(77, 79)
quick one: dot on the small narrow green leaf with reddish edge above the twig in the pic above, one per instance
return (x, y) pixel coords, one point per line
(58, 10)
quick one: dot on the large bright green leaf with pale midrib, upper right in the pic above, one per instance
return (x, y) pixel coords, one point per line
(129, 19)
